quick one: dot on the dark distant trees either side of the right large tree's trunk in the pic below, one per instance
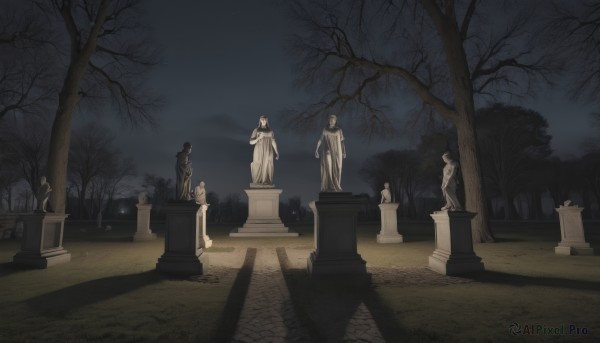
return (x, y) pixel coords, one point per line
(518, 168)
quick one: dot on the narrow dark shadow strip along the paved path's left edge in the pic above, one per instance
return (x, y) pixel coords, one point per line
(235, 301)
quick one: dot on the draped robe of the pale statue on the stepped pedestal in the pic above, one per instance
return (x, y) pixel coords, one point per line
(262, 159)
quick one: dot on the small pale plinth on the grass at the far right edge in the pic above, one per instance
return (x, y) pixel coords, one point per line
(572, 234)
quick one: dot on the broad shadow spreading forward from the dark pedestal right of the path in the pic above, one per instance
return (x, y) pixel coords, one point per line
(325, 306)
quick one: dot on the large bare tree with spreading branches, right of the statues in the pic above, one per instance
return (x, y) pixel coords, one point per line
(443, 52)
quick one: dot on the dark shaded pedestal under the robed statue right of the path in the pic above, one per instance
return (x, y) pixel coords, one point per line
(335, 236)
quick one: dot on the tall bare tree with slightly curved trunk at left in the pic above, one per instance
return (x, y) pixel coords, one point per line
(107, 55)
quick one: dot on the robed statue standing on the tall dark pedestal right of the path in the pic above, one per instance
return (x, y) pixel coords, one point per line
(332, 155)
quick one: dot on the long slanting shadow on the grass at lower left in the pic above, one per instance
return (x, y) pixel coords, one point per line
(59, 303)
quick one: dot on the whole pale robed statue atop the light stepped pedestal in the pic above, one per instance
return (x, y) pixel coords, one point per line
(265, 148)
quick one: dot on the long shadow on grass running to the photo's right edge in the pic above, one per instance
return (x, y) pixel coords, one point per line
(522, 280)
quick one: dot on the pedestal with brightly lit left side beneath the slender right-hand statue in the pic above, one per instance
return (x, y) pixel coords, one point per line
(454, 253)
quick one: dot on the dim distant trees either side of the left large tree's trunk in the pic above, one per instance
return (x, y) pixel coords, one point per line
(98, 172)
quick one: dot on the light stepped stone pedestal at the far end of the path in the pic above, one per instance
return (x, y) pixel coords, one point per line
(263, 215)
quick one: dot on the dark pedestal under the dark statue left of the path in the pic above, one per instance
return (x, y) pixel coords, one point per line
(183, 254)
